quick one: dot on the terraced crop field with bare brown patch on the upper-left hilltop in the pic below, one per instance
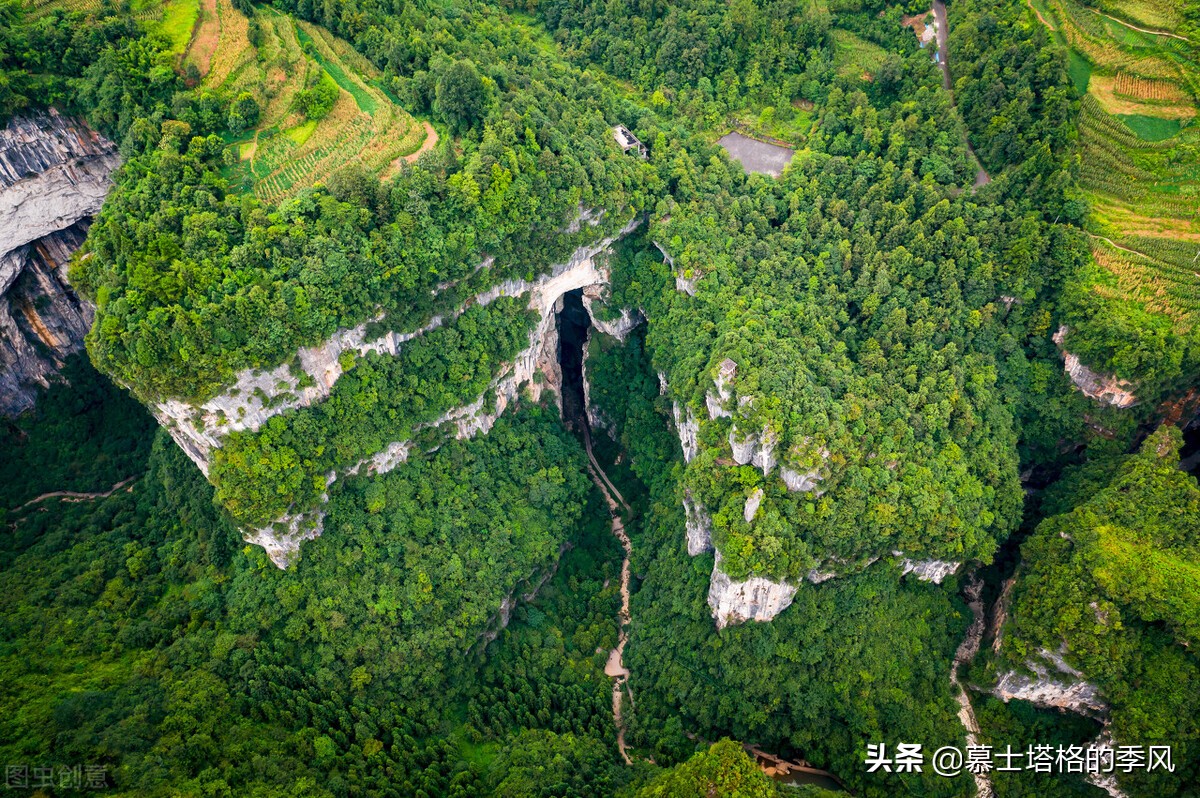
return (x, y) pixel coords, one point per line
(287, 152)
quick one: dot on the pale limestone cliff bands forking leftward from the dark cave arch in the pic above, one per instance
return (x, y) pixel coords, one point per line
(261, 395)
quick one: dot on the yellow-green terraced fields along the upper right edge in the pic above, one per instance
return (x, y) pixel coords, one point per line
(1139, 152)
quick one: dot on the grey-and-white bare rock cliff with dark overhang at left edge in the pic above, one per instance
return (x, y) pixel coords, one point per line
(55, 175)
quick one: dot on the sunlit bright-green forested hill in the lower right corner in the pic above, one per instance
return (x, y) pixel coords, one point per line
(1112, 574)
